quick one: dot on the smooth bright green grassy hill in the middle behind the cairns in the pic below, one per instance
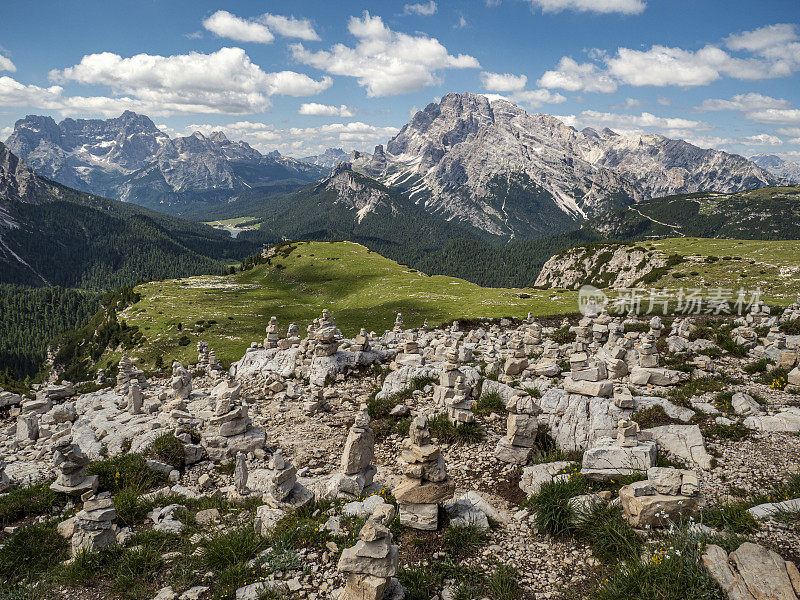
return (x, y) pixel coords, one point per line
(361, 288)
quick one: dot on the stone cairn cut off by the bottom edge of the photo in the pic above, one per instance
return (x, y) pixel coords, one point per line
(369, 565)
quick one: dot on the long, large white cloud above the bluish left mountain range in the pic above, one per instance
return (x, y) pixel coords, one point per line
(225, 81)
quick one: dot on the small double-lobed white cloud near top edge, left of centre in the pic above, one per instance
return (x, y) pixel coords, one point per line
(259, 30)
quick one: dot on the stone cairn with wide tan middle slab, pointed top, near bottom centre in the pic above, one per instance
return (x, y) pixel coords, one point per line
(425, 482)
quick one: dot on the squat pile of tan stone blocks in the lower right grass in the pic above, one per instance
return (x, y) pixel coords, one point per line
(668, 496)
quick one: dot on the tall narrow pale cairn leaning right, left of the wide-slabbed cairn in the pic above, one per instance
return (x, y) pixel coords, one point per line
(358, 472)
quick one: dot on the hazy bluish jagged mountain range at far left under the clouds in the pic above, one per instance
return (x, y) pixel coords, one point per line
(128, 158)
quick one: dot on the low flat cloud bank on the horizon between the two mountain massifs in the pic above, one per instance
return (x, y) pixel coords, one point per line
(302, 141)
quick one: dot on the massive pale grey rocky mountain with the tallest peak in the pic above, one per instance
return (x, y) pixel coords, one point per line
(516, 175)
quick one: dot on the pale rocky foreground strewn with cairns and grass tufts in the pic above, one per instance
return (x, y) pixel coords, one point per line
(215, 484)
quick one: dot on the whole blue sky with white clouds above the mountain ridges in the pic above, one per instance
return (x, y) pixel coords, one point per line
(306, 75)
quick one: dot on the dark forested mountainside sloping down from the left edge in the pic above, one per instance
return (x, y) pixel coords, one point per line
(54, 235)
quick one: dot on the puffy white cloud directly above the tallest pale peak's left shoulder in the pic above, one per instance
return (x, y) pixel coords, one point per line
(383, 61)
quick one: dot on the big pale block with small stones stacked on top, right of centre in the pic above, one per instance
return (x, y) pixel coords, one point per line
(627, 455)
